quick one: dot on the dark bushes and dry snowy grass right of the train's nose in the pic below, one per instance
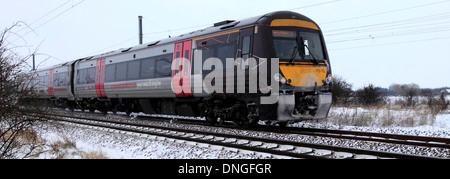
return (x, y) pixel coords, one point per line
(370, 106)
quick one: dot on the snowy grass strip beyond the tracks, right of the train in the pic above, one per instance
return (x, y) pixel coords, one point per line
(384, 120)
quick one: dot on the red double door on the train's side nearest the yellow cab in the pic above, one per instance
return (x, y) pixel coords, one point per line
(182, 61)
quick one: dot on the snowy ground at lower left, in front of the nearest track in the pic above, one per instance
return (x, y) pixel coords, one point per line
(123, 146)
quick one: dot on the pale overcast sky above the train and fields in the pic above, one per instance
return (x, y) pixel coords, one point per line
(369, 41)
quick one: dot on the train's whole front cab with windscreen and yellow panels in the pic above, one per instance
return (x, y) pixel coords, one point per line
(305, 72)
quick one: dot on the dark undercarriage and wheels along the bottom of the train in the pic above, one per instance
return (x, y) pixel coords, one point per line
(291, 107)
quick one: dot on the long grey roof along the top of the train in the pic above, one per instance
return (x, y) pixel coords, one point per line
(217, 27)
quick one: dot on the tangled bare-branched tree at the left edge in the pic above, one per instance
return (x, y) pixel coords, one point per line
(17, 136)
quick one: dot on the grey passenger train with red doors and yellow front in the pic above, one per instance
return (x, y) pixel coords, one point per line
(220, 73)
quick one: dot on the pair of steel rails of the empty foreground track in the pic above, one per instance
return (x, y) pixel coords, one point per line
(335, 149)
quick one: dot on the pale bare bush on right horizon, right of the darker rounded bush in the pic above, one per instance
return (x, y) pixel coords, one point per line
(409, 91)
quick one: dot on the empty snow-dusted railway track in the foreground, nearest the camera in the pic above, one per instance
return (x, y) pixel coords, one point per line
(279, 148)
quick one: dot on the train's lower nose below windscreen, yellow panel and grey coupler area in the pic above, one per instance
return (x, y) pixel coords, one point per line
(305, 101)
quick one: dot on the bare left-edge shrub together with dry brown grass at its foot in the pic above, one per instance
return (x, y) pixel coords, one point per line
(19, 117)
